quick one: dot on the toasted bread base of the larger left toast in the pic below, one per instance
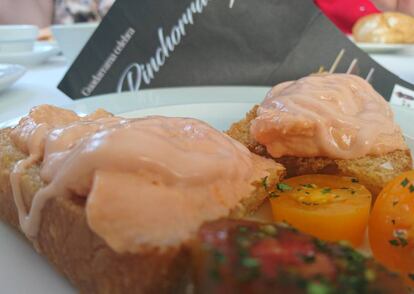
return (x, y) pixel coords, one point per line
(76, 251)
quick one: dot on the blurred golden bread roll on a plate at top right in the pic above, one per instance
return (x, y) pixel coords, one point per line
(388, 27)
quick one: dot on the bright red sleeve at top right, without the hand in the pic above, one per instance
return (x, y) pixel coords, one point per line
(344, 13)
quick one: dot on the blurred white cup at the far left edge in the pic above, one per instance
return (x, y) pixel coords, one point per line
(17, 38)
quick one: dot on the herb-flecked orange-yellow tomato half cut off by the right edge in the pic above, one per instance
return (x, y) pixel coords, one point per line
(391, 226)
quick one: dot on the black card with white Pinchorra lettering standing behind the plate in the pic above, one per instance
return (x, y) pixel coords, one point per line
(162, 43)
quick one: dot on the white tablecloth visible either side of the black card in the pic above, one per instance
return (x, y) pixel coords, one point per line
(39, 84)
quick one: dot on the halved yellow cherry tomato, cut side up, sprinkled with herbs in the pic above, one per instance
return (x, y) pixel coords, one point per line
(332, 208)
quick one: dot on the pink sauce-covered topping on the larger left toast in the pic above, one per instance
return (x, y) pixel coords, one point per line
(149, 182)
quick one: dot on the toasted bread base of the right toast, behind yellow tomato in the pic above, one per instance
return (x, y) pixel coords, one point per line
(372, 171)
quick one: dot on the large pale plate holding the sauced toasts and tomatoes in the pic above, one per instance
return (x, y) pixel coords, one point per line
(219, 106)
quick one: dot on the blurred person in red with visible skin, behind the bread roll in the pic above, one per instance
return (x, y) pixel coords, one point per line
(344, 13)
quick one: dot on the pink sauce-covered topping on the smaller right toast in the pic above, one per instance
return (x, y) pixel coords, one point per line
(327, 115)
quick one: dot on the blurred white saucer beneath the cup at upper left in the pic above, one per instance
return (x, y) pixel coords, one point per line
(40, 53)
